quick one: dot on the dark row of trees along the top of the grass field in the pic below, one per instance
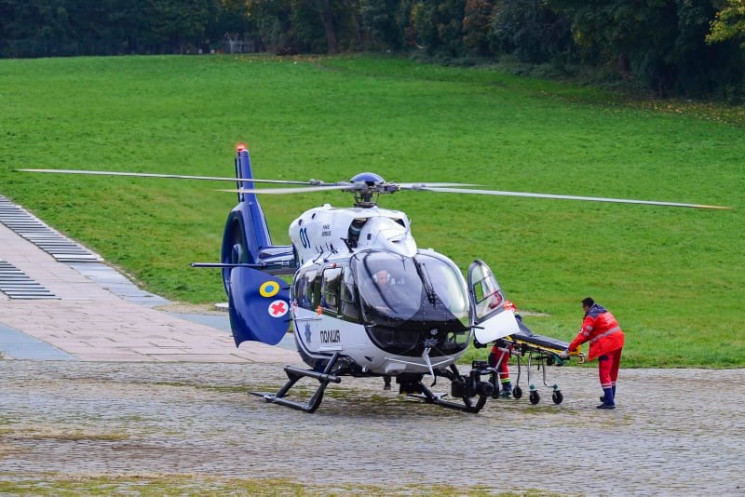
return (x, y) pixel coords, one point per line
(672, 47)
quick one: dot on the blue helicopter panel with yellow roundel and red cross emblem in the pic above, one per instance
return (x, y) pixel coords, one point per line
(259, 306)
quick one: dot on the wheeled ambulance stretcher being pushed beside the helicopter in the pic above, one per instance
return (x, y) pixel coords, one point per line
(538, 350)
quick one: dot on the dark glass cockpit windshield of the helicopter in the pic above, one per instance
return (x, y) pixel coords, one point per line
(394, 289)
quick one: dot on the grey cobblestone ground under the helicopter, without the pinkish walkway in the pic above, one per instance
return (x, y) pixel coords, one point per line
(667, 437)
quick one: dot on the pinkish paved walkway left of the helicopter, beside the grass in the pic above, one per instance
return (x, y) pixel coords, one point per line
(87, 321)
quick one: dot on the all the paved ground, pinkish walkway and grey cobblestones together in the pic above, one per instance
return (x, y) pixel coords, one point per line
(96, 384)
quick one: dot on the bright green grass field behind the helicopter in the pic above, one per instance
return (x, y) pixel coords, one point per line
(674, 278)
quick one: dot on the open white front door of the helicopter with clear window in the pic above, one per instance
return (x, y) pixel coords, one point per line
(489, 315)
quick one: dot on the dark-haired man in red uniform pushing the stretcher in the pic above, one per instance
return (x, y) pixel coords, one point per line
(601, 329)
